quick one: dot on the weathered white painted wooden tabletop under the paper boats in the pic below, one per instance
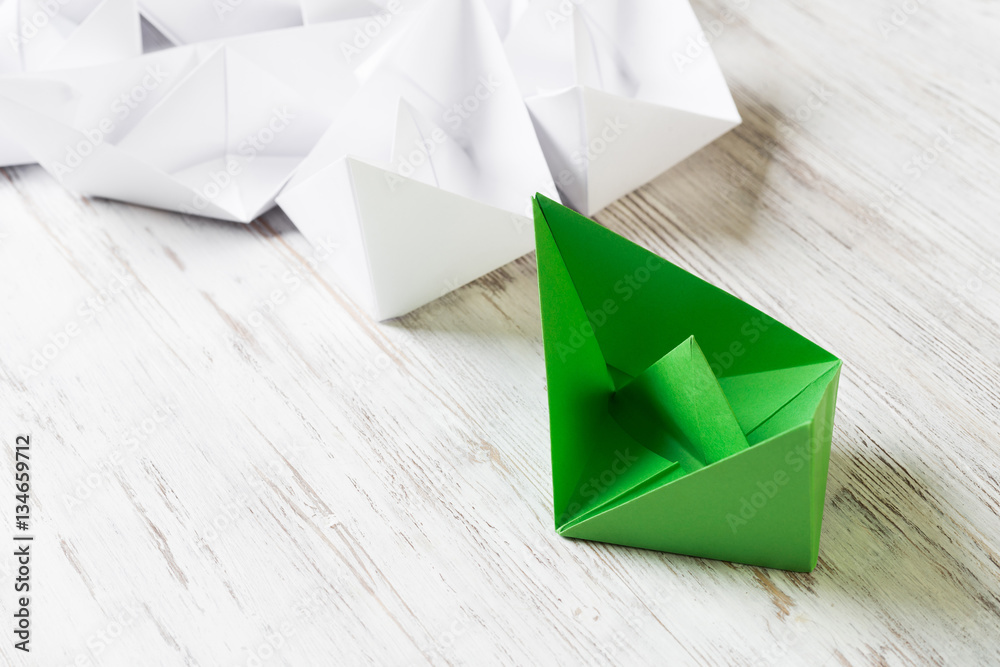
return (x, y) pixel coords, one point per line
(234, 466)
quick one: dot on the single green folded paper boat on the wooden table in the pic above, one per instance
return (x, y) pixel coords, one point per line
(682, 419)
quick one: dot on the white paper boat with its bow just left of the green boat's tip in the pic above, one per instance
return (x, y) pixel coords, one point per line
(425, 179)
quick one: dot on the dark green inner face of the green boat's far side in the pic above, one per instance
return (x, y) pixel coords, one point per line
(641, 306)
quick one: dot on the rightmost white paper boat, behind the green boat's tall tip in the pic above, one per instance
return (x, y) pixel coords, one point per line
(619, 90)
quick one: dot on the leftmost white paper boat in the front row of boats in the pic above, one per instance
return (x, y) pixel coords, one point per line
(213, 129)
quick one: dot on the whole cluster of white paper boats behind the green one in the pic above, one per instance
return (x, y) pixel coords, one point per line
(411, 132)
